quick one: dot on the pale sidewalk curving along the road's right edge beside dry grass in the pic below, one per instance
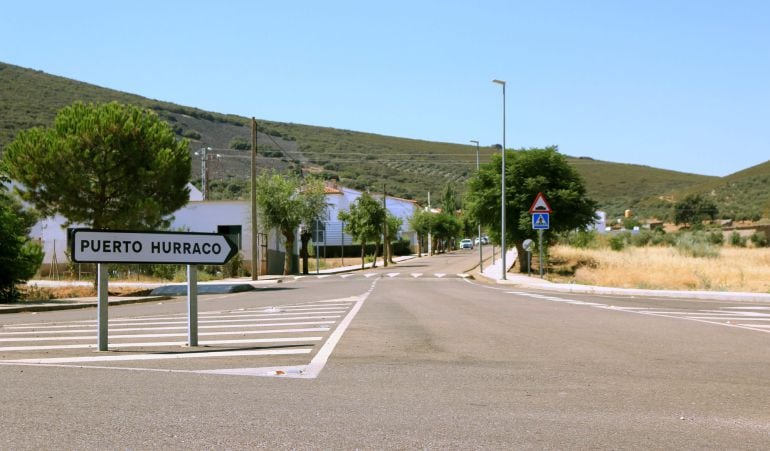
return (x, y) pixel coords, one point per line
(494, 272)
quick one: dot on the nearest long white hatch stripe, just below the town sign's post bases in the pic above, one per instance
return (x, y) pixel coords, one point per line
(119, 358)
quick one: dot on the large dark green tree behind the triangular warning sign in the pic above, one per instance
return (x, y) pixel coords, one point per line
(527, 173)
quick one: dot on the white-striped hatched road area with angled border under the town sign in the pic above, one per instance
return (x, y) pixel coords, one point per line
(299, 329)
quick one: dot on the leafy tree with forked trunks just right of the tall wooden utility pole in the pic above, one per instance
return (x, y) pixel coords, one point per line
(286, 202)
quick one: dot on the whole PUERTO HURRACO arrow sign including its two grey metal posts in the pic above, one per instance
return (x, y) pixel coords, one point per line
(108, 246)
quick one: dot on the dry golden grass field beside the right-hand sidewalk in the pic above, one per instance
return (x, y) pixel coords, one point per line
(736, 269)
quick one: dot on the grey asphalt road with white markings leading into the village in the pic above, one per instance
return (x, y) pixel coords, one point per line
(410, 356)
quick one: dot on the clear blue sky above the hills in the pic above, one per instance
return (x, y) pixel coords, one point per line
(675, 84)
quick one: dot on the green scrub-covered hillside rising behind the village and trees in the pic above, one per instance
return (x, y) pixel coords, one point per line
(410, 168)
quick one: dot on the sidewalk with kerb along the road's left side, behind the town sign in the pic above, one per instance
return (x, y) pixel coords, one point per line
(87, 302)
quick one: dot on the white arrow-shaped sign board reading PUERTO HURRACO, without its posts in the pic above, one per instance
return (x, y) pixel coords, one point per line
(186, 248)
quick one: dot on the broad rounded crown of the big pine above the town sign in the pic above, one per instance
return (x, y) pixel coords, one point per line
(108, 166)
